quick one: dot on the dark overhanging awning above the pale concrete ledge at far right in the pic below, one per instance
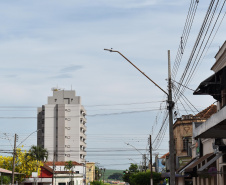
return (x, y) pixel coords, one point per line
(213, 85)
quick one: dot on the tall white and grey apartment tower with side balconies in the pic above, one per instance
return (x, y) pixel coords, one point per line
(62, 127)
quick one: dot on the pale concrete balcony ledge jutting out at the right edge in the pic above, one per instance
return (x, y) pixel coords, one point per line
(214, 127)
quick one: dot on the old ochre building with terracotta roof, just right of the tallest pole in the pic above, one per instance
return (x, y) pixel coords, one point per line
(183, 132)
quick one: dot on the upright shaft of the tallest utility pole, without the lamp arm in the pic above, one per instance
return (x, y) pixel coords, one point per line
(170, 107)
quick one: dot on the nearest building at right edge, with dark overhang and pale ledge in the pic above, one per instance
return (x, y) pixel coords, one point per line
(208, 165)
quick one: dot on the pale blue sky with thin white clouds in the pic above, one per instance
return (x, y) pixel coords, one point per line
(46, 44)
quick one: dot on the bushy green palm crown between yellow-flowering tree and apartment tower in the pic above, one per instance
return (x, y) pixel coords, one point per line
(38, 153)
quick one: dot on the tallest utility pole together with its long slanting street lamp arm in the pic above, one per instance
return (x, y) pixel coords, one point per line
(170, 108)
